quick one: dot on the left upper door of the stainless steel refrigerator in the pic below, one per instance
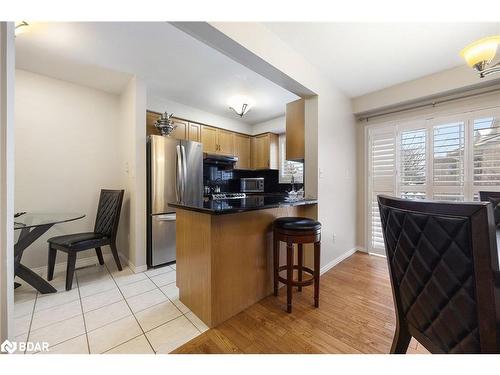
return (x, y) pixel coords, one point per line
(163, 171)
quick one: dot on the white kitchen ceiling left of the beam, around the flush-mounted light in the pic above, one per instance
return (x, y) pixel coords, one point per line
(173, 64)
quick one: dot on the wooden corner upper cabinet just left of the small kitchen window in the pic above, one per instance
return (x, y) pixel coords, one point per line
(264, 151)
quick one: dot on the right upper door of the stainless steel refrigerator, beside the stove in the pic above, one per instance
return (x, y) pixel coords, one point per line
(192, 172)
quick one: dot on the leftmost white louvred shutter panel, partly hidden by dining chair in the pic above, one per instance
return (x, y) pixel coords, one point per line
(382, 178)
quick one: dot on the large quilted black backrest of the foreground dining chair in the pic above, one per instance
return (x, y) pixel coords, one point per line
(442, 258)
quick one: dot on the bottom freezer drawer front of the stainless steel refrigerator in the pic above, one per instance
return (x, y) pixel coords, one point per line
(162, 239)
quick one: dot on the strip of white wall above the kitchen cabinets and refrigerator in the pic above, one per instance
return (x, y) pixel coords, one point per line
(161, 105)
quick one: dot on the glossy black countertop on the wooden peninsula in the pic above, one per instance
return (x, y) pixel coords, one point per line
(250, 203)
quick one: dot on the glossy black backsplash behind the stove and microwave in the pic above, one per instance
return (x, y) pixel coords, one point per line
(229, 180)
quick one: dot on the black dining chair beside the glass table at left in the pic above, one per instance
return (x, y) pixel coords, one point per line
(105, 229)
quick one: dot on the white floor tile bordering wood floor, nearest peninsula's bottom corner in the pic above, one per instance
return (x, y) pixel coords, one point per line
(172, 335)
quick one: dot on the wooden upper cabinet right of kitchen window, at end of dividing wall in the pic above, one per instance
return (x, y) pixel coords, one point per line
(295, 130)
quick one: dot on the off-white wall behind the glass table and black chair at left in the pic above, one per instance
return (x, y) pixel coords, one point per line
(67, 147)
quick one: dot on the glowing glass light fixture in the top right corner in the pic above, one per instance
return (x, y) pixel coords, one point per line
(481, 53)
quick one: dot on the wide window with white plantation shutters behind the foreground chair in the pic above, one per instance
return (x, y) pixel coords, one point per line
(447, 159)
